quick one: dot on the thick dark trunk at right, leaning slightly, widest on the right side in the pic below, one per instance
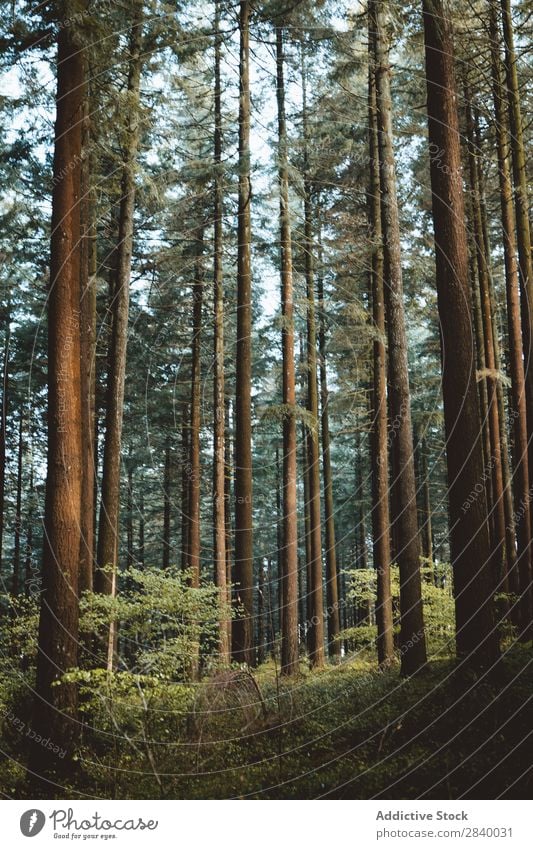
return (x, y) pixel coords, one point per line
(469, 537)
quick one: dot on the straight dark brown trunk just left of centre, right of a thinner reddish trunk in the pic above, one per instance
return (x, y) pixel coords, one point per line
(243, 625)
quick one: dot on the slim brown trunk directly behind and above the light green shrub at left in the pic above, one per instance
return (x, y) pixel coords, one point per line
(193, 562)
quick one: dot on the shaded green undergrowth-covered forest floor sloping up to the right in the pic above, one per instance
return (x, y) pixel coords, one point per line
(345, 732)
